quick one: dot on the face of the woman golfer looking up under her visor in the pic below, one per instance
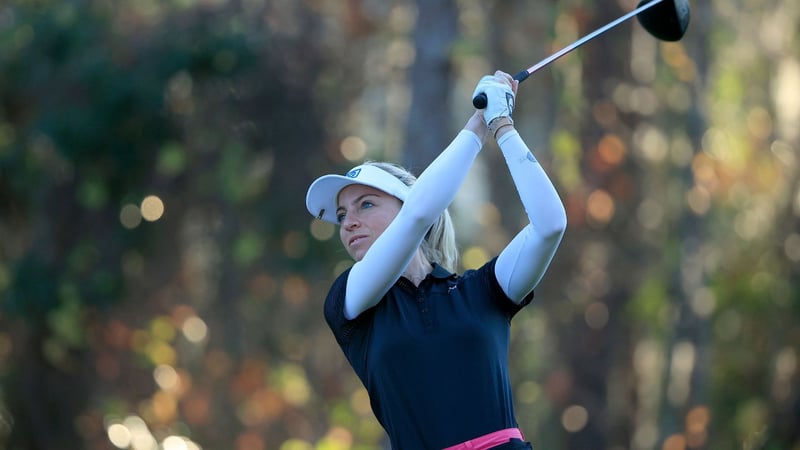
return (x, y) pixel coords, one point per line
(364, 213)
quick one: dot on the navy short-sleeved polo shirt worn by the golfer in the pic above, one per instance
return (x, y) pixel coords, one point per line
(433, 358)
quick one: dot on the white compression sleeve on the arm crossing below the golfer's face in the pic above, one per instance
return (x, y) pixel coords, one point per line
(389, 255)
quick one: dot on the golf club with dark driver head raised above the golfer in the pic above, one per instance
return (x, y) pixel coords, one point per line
(666, 20)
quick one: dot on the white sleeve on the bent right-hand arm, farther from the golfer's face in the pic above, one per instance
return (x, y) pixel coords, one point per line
(523, 262)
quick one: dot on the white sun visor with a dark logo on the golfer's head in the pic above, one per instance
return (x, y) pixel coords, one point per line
(322, 196)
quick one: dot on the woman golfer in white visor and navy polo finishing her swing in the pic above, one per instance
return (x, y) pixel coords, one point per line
(431, 346)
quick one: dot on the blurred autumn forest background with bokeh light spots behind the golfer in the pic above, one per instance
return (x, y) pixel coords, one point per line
(162, 283)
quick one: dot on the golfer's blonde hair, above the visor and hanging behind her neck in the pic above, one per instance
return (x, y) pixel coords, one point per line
(439, 245)
